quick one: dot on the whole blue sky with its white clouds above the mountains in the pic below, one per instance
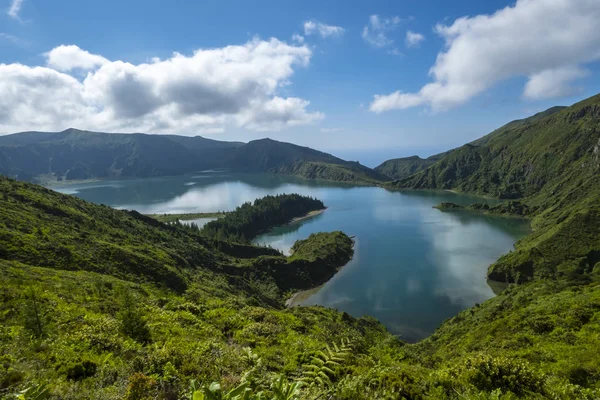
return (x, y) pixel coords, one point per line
(492, 61)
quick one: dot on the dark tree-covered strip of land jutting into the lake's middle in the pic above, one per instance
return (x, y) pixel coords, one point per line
(250, 219)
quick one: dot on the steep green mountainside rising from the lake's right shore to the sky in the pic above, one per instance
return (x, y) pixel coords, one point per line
(552, 162)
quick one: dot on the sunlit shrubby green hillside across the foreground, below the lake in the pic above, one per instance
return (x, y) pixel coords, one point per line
(105, 304)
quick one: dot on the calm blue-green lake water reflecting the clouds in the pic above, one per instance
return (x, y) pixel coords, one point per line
(414, 266)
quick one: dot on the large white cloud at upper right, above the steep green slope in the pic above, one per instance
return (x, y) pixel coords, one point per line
(542, 40)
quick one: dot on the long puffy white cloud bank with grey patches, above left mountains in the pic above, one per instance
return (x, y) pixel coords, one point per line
(202, 92)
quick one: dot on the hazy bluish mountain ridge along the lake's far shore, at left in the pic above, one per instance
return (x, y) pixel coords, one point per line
(75, 155)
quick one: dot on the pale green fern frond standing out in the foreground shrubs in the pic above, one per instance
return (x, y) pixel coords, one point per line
(321, 370)
